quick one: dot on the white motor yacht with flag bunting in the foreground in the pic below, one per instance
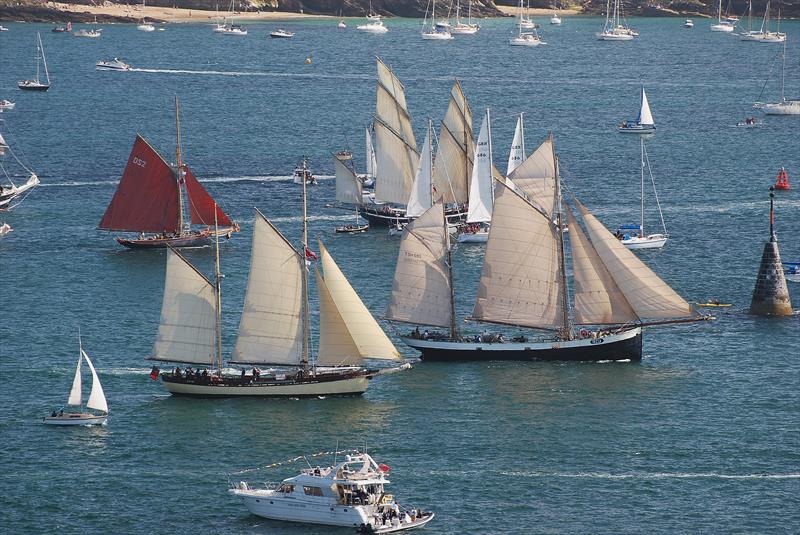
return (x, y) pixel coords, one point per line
(350, 493)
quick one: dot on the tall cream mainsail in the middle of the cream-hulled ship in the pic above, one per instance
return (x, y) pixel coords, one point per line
(271, 329)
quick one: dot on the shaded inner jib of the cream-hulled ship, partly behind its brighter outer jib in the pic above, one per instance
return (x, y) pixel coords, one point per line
(336, 346)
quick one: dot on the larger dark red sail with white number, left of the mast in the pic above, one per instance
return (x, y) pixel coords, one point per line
(147, 196)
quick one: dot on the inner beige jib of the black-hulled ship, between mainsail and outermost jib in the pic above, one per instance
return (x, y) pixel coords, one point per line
(598, 299)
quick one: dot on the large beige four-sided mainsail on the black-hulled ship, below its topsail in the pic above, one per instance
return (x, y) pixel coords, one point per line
(520, 282)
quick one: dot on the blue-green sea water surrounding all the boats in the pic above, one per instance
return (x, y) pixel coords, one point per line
(702, 436)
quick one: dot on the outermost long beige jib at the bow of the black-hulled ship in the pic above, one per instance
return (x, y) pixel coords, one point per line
(649, 296)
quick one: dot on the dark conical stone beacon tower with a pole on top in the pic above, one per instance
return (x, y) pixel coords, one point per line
(771, 295)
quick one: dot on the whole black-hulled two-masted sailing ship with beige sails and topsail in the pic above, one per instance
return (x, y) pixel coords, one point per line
(524, 283)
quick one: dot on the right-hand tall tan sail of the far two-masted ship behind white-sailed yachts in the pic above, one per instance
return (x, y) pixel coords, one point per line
(455, 153)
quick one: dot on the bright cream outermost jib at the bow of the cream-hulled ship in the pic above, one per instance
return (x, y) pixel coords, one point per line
(368, 336)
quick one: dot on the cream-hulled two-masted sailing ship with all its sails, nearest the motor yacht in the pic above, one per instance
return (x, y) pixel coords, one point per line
(274, 328)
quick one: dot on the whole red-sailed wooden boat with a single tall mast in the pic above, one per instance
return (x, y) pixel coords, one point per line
(161, 202)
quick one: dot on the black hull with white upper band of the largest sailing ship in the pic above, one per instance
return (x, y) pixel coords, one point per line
(626, 345)
